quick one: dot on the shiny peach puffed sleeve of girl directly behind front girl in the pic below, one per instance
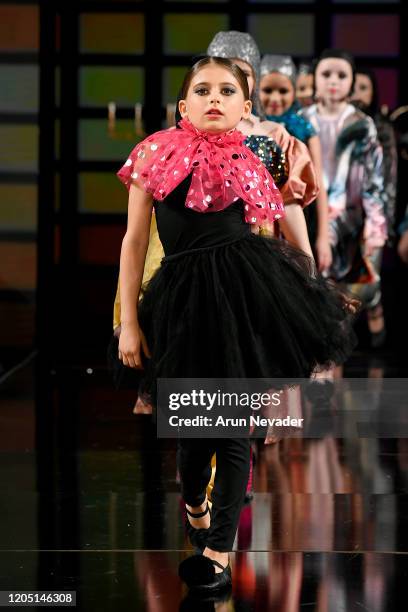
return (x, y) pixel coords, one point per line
(302, 185)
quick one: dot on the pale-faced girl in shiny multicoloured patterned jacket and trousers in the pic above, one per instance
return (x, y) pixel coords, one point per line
(352, 169)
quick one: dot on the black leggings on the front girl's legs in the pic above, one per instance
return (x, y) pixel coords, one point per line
(231, 478)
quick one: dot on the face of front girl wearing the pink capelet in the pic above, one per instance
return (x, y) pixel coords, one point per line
(215, 101)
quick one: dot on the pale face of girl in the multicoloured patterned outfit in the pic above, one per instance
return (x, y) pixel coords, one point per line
(334, 77)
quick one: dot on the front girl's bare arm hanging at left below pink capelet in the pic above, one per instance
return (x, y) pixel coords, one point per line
(132, 259)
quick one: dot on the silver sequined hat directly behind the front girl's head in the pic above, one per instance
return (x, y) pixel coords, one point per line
(236, 45)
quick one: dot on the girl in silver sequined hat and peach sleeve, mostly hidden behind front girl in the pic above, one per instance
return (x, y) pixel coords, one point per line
(285, 157)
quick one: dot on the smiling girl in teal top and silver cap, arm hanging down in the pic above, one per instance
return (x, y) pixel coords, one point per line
(277, 98)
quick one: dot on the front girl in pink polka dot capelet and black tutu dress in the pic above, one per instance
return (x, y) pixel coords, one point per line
(225, 302)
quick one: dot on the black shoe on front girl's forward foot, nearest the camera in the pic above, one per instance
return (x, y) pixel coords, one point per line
(198, 572)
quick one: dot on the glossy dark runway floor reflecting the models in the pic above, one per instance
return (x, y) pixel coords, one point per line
(90, 503)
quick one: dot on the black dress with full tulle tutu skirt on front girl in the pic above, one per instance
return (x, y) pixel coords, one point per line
(228, 303)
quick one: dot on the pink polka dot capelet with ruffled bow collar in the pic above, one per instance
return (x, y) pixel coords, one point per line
(223, 170)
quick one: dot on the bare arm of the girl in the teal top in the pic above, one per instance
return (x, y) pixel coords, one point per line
(324, 255)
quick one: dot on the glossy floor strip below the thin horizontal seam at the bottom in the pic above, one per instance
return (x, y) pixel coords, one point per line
(273, 581)
